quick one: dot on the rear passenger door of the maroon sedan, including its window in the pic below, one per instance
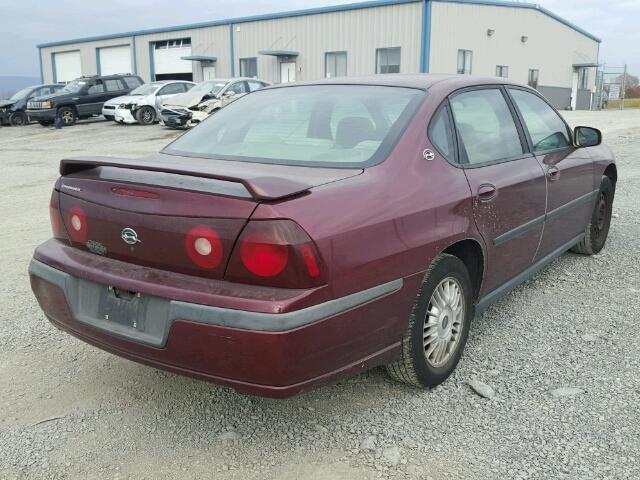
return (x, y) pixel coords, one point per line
(507, 183)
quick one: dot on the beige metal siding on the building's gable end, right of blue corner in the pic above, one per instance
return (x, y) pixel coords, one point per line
(551, 46)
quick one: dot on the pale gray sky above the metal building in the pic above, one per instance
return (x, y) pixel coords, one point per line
(26, 23)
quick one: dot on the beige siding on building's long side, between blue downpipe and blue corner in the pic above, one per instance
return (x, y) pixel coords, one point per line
(358, 32)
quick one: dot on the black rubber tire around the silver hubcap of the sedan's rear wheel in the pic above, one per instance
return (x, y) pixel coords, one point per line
(413, 367)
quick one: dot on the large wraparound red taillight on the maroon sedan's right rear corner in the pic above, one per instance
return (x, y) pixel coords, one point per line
(277, 253)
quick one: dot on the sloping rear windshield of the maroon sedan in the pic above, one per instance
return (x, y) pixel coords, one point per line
(317, 125)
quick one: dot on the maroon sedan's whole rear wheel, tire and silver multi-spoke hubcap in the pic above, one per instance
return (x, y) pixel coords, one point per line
(438, 327)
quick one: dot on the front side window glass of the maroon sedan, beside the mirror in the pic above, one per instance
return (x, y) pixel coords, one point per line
(546, 129)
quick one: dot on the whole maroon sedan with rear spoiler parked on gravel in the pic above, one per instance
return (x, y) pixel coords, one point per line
(312, 231)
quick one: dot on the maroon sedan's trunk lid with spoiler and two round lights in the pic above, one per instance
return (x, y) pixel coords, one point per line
(172, 213)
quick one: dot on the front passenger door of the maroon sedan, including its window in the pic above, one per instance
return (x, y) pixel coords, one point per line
(569, 170)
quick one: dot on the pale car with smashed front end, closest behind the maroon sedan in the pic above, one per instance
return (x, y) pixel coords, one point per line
(183, 111)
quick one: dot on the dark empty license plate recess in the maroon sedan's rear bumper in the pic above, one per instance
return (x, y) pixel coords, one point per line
(122, 307)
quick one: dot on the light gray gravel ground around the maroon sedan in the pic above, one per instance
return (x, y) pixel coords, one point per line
(560, 355)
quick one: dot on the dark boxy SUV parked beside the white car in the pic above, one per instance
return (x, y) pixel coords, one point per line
(81, 98)
